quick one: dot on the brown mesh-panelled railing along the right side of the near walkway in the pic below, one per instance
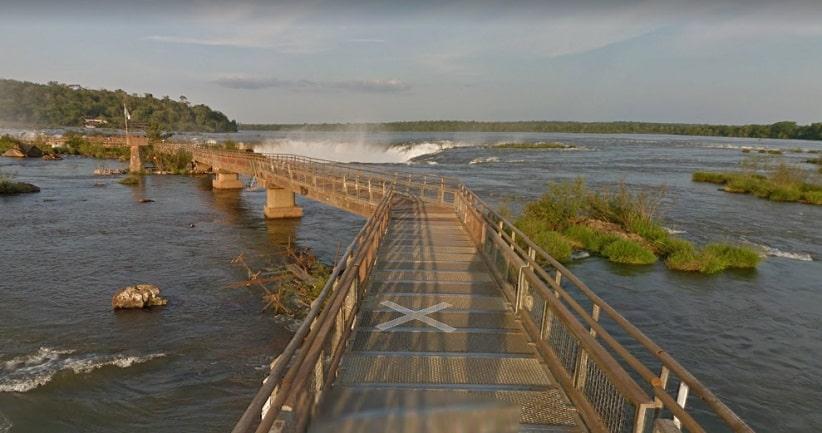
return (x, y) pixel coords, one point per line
(549, 299)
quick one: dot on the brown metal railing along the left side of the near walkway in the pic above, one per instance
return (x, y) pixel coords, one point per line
(309, 362)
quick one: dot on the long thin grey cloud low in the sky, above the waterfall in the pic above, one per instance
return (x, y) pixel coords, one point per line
(355, 86)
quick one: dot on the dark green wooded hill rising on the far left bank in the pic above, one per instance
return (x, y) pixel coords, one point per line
(58, 105)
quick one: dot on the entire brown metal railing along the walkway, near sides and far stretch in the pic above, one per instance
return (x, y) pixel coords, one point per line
(619, 380)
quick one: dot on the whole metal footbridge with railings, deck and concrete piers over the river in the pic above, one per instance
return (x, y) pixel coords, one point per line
(442, 316)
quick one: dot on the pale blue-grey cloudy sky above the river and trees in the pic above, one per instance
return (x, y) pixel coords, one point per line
(721, 61)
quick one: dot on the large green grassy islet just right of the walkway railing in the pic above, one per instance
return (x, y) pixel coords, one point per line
(621, 226)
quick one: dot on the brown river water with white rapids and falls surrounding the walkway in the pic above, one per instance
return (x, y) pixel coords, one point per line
(68, 363)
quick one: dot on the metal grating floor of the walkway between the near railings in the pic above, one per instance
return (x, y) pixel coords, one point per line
(426, 259)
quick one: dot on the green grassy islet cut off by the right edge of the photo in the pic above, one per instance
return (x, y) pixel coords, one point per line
(782, 183)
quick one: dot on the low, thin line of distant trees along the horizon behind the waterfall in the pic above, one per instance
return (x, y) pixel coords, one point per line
(785, 130)
